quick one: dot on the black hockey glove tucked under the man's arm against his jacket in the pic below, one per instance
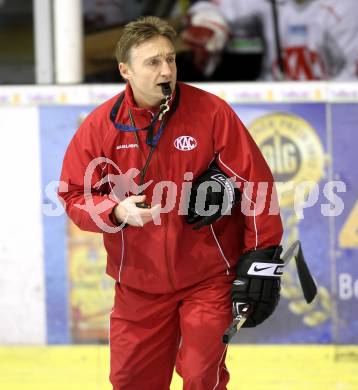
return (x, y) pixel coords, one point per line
(212, 195)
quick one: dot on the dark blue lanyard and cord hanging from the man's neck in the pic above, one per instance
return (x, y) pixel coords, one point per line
(151, 140)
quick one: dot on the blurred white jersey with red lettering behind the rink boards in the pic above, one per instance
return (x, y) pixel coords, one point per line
(318, 37)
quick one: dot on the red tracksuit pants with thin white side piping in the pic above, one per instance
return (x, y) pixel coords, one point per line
(152, 333)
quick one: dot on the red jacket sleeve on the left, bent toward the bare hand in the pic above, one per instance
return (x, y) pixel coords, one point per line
(83, 190)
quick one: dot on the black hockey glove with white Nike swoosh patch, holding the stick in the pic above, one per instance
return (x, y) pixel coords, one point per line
(258, 284)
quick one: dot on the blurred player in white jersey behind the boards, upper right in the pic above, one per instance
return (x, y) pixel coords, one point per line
(316, 39)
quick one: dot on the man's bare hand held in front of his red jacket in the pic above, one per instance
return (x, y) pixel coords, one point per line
(127, 211)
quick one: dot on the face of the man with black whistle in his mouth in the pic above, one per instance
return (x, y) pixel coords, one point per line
(150, 64)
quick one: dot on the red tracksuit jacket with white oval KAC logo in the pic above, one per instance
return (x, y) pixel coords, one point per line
(170, 256)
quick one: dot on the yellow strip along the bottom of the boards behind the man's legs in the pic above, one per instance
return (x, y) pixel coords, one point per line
(252, 367)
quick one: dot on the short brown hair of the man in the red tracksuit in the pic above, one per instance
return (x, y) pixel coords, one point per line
(140, 30)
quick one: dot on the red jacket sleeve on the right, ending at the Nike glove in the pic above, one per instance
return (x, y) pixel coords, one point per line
(240, 158)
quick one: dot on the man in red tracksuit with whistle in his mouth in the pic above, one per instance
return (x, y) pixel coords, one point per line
(174, 283)
